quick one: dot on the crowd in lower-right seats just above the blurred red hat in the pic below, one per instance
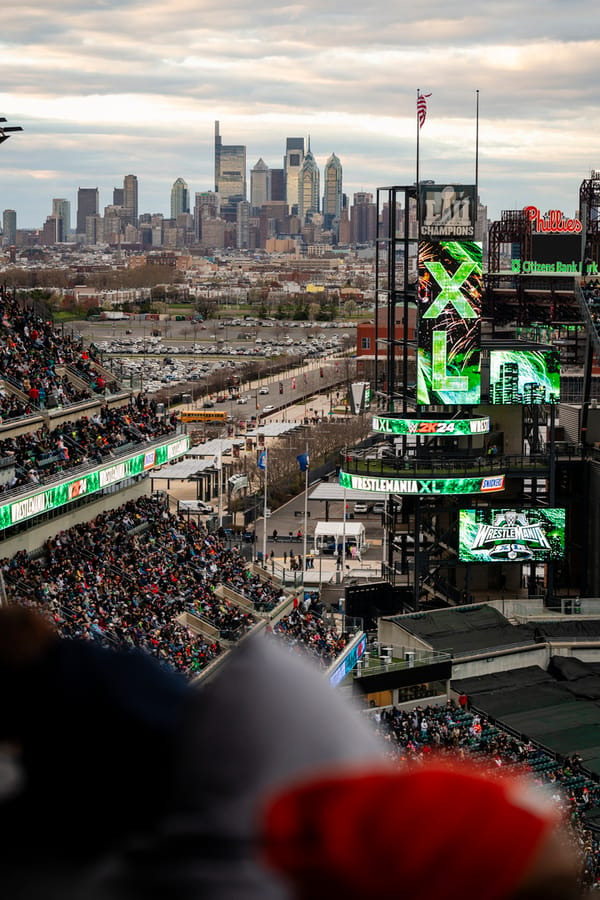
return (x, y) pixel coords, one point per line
(415, 734)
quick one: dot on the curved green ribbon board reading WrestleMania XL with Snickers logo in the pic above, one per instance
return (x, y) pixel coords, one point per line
(392, 485)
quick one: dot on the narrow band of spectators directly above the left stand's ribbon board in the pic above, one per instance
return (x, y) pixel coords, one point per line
(45, 454)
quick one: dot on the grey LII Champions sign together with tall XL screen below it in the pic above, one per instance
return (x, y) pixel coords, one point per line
(450, 286)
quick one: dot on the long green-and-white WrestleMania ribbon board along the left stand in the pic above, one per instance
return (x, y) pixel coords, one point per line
(40, 501)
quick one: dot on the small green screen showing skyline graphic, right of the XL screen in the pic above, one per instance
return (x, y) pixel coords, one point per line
(524, 376)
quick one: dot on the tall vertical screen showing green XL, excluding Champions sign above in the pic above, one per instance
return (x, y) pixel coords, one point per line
(449, 330)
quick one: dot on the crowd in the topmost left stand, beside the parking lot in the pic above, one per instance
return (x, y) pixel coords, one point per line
(34, 358)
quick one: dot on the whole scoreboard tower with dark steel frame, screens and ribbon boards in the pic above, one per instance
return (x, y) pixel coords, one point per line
(466, 415)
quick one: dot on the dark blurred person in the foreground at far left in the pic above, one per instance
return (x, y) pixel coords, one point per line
(91, 735)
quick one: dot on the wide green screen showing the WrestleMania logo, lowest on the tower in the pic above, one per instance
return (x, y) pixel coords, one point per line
(511, 535)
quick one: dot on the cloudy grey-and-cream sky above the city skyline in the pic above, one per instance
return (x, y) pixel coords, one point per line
(113, 87)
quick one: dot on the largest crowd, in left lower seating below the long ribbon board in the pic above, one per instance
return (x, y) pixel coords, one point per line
(125, 577)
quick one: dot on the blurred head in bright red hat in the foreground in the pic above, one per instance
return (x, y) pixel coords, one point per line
(437, 831)
